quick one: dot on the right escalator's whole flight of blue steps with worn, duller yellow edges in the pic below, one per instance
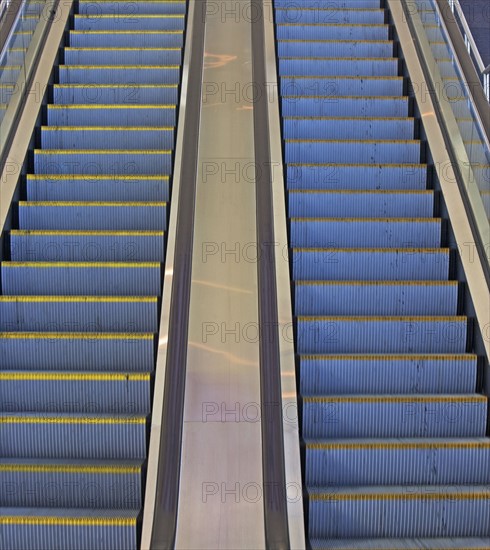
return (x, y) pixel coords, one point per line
(394, 421)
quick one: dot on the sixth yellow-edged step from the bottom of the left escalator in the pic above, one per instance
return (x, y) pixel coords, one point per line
(79, 313)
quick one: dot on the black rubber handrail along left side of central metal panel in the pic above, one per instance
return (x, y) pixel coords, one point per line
(169, 458)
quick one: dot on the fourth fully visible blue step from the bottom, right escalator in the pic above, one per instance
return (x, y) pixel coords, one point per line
(385, 374)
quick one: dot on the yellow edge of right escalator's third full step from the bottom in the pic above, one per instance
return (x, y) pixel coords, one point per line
(474, 398)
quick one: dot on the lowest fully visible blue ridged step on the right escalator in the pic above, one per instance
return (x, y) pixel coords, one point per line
(427, 511)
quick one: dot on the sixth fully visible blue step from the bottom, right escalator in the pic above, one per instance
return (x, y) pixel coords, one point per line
(376, 297)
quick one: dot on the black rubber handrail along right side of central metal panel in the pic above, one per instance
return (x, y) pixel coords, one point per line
(273, 465)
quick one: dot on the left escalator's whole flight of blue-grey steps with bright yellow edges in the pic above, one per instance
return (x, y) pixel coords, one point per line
(81, 282)
